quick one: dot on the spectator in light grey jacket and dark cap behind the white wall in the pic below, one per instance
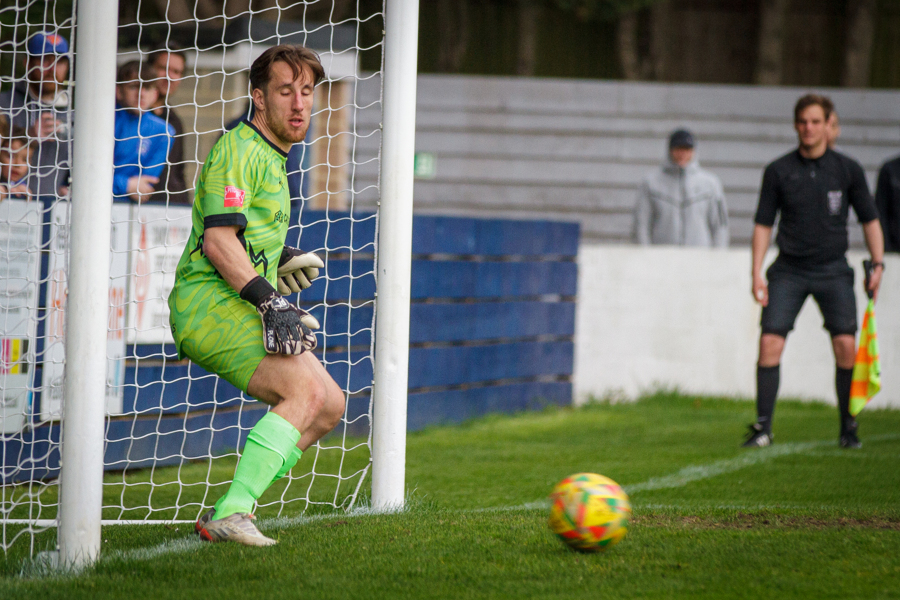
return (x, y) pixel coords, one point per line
(680, 203)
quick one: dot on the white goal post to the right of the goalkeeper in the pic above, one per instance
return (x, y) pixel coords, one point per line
(395, 250)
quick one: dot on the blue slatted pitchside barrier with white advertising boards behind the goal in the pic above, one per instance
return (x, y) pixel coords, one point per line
(491, 330)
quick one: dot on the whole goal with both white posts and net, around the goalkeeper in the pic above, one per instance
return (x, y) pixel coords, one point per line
(103, 377)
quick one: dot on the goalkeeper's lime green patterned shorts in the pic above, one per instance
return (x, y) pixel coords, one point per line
(227, 340)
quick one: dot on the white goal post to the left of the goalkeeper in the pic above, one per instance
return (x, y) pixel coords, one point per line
(81, 477)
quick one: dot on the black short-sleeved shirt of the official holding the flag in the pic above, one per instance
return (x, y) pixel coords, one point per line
(814, 197)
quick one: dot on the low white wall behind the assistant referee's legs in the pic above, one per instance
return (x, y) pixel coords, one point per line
(667, 316)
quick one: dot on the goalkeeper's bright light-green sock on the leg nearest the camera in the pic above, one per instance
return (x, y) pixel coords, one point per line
(269, 447)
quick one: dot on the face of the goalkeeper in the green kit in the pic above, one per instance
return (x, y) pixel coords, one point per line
(287, 103)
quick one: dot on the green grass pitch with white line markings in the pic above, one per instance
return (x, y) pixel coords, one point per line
(801, 519)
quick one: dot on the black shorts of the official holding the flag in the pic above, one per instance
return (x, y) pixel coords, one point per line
(830, 284)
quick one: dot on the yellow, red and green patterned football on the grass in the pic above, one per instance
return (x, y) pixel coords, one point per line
(589, 512)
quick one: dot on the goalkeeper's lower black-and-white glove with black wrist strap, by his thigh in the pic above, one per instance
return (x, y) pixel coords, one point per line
(286, 328)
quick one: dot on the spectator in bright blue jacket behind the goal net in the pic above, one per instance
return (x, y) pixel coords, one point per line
(142, 139)
